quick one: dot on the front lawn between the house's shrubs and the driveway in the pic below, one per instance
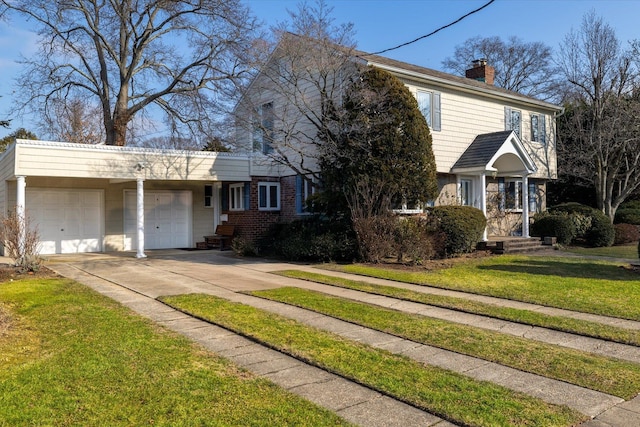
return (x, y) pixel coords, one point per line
(587, 286)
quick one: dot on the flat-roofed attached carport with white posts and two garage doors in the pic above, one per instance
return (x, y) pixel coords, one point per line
(83, 198)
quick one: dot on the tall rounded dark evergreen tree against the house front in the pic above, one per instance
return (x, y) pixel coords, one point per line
(383, 138)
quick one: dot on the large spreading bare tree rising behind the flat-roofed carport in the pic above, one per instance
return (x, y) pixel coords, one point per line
(182, 56)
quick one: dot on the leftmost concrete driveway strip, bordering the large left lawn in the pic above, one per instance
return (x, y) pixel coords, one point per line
(355, 403)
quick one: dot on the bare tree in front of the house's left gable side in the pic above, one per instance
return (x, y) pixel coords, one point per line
(288, 112)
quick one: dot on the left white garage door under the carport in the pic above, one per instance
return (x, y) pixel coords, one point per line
(68, 221)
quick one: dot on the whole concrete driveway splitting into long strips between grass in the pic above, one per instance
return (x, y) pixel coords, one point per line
(225, 276)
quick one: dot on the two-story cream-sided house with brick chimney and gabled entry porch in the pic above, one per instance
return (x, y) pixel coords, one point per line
(495, 149)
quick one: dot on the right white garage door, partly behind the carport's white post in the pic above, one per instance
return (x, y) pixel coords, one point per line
(167, 219)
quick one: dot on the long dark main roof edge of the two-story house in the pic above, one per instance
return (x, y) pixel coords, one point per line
(428, 72)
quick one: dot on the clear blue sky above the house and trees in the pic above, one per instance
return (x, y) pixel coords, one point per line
(380, 24)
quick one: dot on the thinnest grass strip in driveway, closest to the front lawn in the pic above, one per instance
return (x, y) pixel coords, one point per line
(565, 324)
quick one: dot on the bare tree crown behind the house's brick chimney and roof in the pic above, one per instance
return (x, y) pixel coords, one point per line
(522, 67)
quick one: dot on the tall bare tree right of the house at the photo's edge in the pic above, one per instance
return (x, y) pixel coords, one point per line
(599, 135)
